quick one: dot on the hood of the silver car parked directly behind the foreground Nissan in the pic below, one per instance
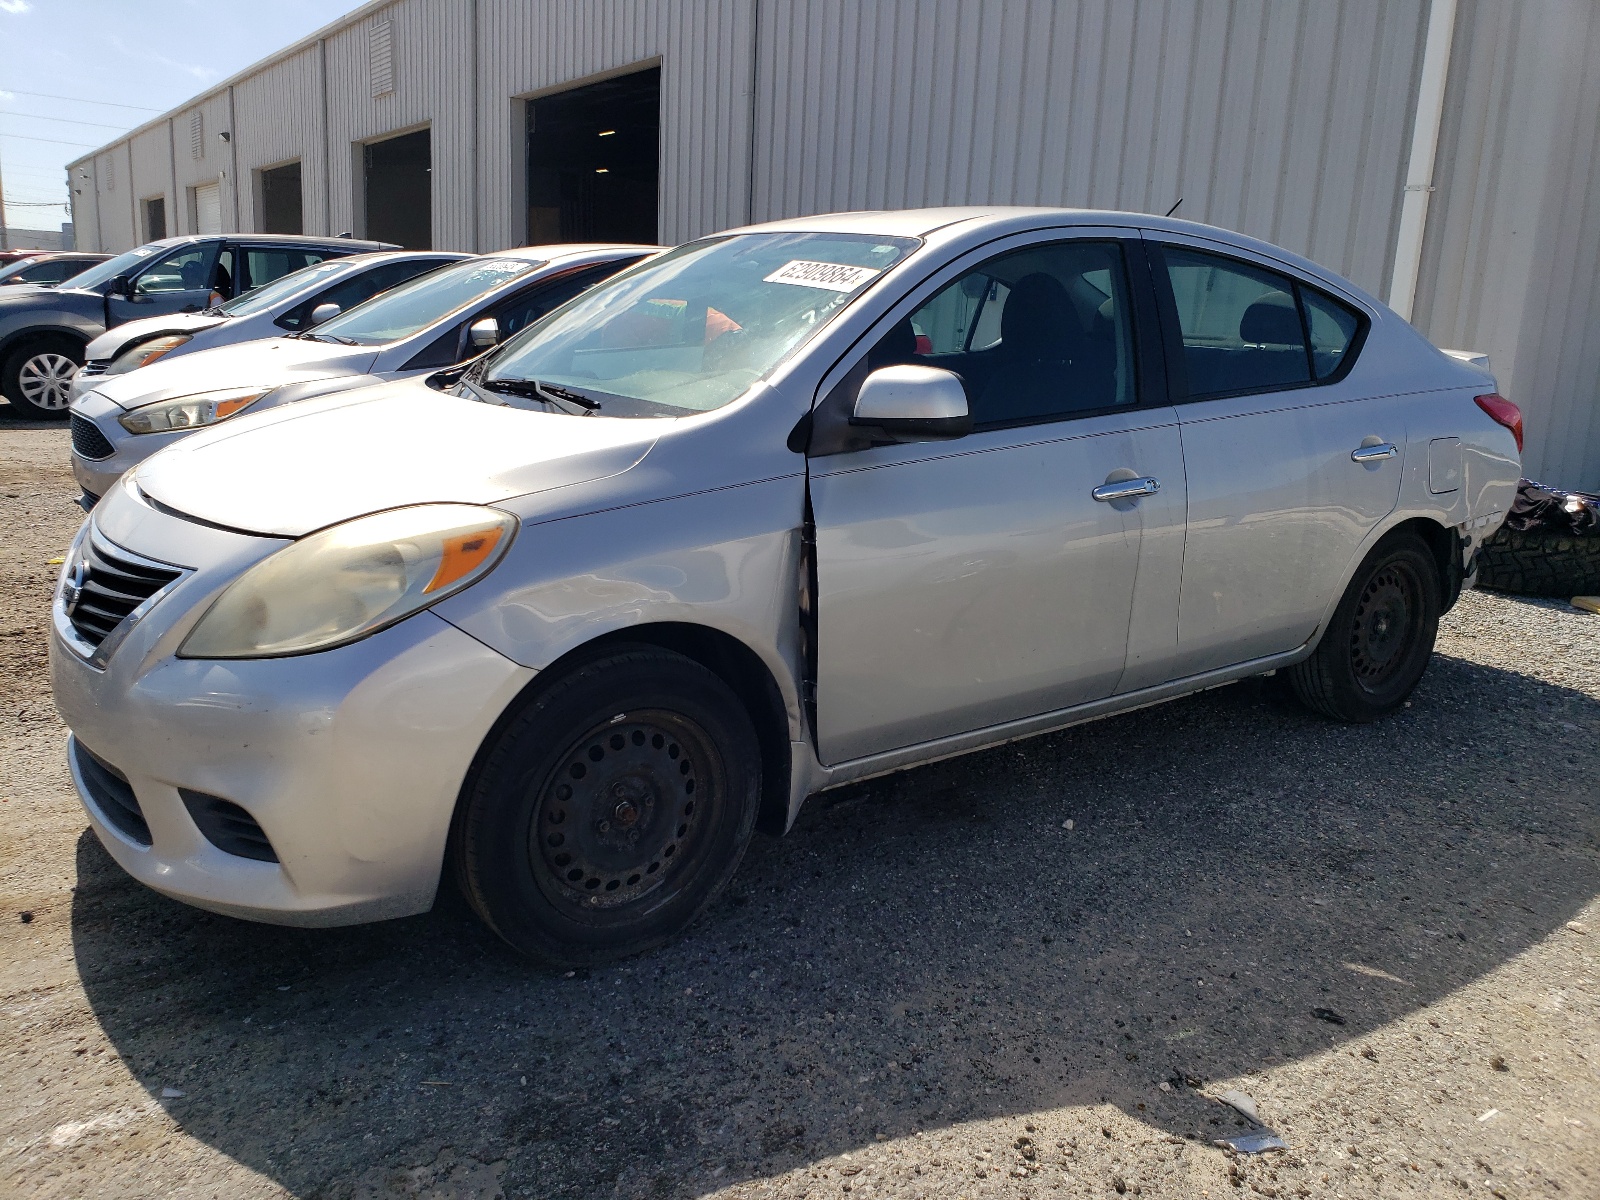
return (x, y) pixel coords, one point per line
(271, 362)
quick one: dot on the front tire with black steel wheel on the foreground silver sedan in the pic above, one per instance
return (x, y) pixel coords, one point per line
(610, 810)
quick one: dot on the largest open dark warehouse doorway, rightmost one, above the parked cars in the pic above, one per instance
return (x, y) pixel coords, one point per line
(594, 158)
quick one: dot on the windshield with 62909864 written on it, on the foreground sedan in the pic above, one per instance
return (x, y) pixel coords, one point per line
(692, 330)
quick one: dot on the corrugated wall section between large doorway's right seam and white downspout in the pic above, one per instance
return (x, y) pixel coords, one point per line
(1284, 121)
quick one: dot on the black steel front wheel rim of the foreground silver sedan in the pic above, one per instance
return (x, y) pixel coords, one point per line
(625, 817)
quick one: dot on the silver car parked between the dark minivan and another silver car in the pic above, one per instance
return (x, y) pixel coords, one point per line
(290, 305)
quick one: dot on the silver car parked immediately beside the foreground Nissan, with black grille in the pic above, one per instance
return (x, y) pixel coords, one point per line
(426, 324)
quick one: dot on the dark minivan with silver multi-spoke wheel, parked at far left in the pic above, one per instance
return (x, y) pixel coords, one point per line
(44, 332)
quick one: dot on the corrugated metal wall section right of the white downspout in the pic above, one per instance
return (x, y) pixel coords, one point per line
(1513, 250)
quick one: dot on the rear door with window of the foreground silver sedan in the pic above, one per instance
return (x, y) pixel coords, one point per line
(1271, 420)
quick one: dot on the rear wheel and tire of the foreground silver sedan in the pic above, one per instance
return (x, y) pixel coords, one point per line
(1382, 638)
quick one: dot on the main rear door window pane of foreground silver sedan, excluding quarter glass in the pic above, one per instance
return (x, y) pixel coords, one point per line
(1241, 326)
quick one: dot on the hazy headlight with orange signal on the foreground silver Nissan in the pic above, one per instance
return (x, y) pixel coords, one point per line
(351, 580)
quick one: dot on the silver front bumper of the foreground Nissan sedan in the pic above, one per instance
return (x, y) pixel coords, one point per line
(350, 761)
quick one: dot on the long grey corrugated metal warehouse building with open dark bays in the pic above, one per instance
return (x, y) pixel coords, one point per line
(1439, 153)
